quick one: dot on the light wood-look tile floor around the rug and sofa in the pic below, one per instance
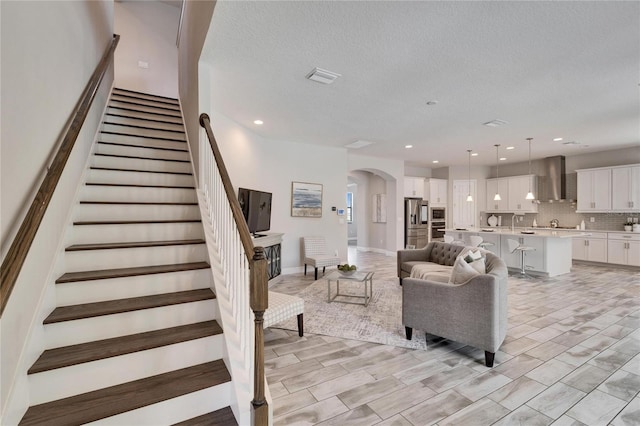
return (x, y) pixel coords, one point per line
(571, 357)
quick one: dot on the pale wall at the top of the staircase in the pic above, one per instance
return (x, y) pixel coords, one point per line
(148, 31)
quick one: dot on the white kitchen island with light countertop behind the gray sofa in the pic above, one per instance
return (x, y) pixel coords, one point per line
(553, 248)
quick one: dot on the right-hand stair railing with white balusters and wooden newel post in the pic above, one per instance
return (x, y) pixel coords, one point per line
(244, 264)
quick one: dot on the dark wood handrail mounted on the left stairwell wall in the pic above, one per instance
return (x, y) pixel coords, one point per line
(12, 263)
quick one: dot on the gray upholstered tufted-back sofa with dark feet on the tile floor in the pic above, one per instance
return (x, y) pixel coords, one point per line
(473, 313)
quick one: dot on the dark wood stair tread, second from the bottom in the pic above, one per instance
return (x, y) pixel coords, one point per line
(92, 406)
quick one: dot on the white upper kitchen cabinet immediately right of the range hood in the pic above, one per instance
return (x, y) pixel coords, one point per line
(594, 190)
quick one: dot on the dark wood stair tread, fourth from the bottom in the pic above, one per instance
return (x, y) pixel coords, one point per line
(96, 309)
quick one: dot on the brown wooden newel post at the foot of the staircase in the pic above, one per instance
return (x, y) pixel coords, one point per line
(259, 291)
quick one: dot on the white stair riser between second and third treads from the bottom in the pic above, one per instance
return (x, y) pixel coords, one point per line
(69, 381)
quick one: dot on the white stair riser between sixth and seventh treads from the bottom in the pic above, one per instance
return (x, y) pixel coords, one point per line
(87, 234)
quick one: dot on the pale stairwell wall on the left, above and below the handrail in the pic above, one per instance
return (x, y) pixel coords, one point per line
(49, 51)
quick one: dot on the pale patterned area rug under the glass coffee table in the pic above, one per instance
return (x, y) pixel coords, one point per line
(379, 322)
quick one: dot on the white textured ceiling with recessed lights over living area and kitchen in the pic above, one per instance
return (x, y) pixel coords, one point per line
(550, 69)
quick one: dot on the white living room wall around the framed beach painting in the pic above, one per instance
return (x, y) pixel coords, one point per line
(266, 165)
